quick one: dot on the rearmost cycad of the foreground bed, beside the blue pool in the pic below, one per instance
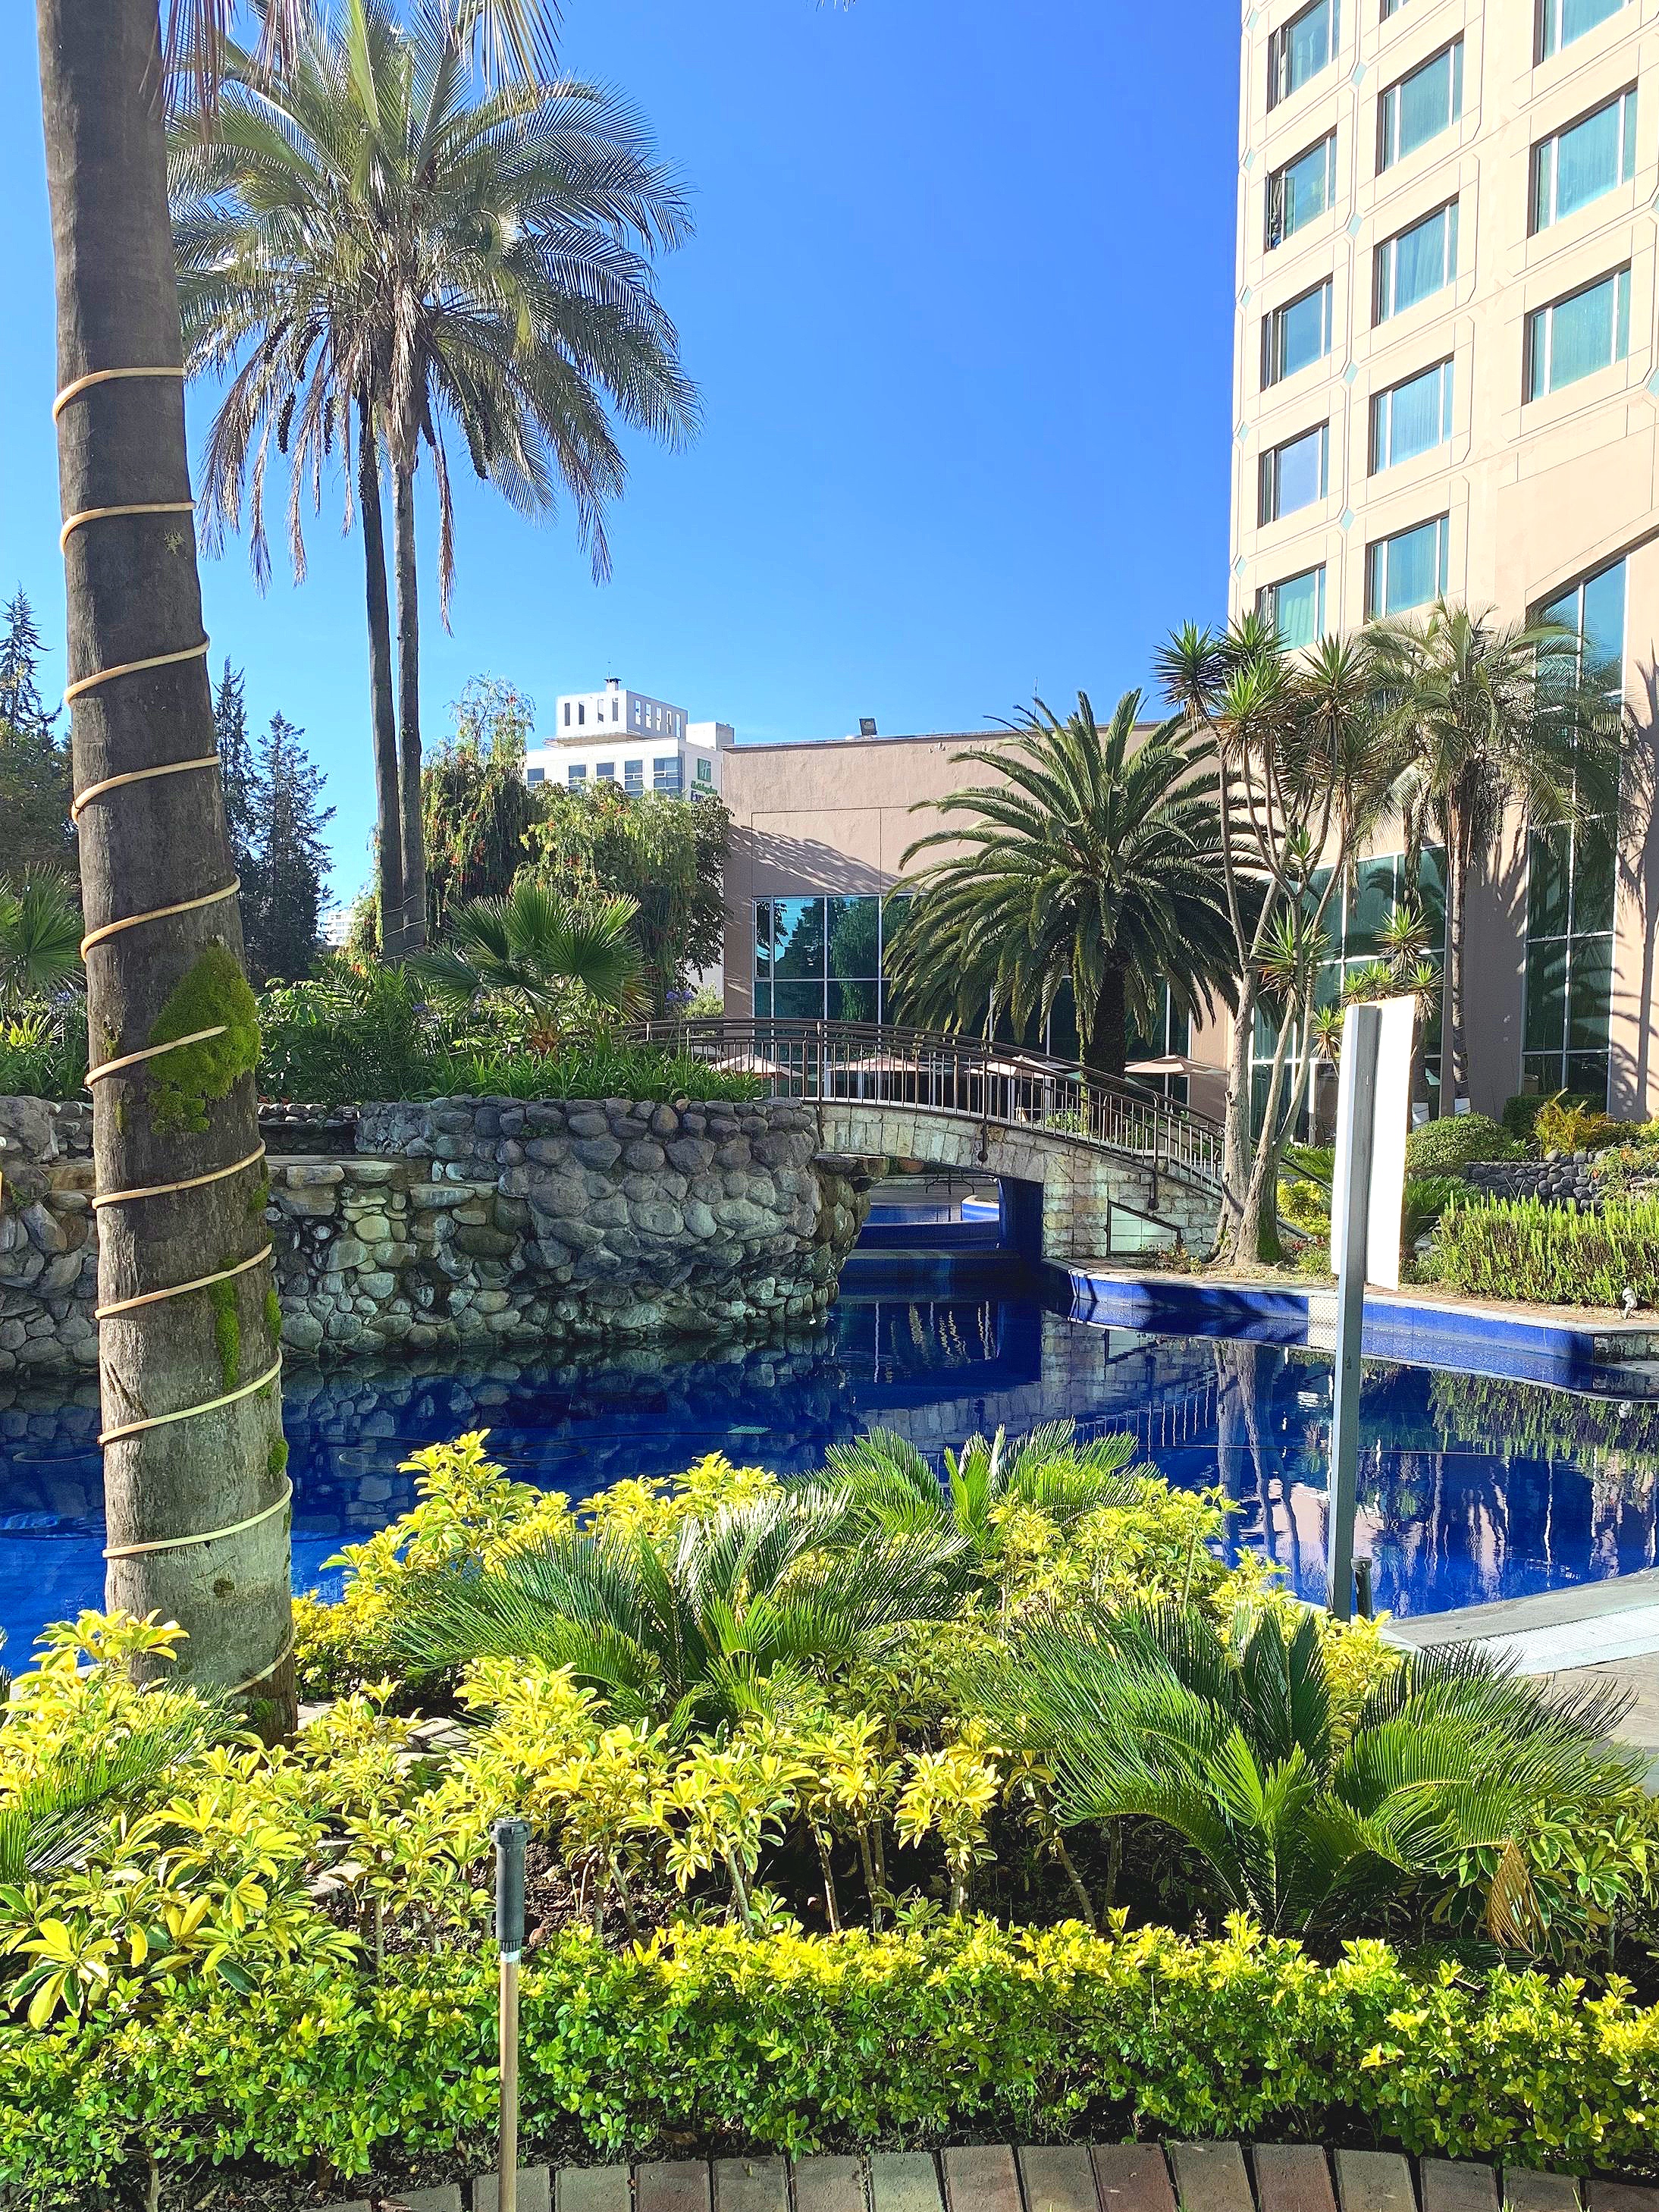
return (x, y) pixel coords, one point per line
(893, 1488)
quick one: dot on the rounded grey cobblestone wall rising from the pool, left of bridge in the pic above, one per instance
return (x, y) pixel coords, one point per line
(468, 1222)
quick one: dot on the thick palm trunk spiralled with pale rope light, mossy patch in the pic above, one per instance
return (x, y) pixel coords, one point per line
(134, 596)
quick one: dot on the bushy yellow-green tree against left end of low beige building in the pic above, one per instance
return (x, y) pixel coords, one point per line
(665, 853)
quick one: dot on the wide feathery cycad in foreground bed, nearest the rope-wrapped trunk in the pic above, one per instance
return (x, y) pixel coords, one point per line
(693, 1627)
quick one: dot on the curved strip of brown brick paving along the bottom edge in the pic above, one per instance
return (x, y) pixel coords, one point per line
(1030, 2178)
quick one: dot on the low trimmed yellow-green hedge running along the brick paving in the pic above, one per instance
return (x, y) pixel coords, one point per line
(795, 2043)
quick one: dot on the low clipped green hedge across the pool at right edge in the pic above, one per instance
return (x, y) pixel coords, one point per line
(1552, 1255)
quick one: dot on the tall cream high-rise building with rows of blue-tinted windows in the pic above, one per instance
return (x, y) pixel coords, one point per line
(1446, 382)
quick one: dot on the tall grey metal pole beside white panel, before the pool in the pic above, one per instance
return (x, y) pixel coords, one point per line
(1355, 1127)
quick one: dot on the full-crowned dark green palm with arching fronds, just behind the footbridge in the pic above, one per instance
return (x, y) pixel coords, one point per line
(1089, 864)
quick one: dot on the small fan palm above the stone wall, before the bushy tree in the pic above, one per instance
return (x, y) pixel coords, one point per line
(532, 948)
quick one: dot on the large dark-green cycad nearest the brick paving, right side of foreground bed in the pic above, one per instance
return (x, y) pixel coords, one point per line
(1300, 1824)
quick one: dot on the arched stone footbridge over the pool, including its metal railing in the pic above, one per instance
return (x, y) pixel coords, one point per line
(1089, 1165)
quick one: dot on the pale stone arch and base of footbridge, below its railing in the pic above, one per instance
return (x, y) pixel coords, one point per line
(1061, 1191)
